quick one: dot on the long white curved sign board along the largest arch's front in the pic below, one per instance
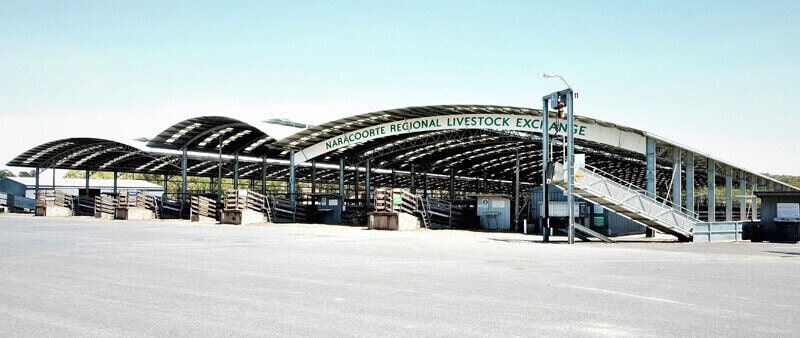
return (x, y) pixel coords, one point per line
(588, 131)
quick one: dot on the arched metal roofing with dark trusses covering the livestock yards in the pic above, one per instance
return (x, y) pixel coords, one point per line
(473, 156)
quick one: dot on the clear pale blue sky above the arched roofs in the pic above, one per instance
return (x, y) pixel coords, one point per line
(718, 76)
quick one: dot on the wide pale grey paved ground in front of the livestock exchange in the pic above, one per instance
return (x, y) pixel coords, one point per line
(82, 276)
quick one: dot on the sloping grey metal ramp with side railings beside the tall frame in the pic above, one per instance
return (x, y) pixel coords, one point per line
(626, 199)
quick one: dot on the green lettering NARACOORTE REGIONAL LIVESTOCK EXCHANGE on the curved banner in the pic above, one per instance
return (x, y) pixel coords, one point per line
(487, 121)
